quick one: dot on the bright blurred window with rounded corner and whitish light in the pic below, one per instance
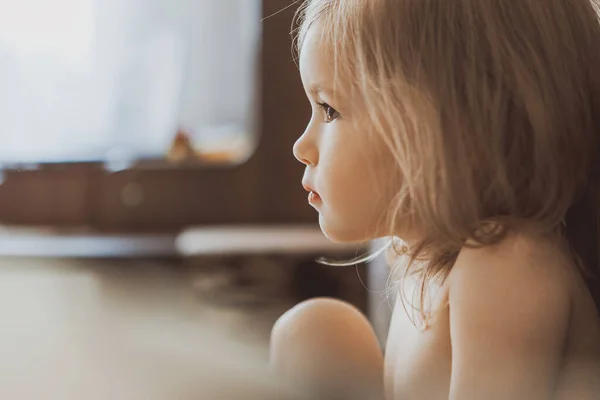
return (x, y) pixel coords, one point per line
(94, 80)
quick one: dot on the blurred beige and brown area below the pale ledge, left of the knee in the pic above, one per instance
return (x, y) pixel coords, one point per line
(160, 328)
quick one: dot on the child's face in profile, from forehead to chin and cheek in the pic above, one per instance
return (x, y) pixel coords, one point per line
(345, 163)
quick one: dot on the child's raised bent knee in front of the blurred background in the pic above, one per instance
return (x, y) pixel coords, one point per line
(329, 347)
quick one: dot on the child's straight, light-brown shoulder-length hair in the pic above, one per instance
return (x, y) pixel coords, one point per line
(491, 109)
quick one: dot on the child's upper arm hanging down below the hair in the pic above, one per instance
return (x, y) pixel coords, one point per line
(508, 321)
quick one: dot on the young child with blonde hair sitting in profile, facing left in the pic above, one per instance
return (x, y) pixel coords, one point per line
(469, 130)
